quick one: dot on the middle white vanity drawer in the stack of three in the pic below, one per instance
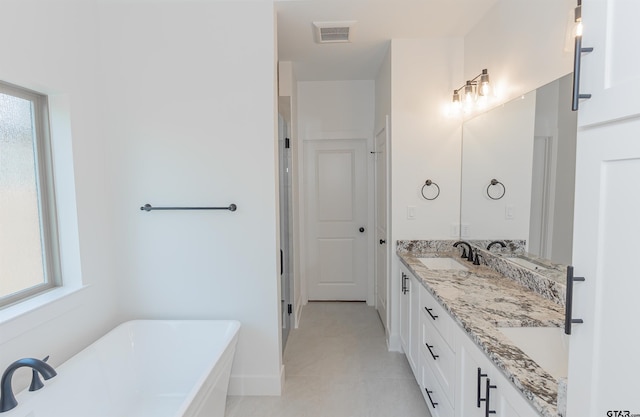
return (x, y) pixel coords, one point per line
(439, 357)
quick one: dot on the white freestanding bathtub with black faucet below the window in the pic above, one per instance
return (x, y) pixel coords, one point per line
(142, 368)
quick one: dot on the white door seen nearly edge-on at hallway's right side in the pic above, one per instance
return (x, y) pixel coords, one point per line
(382, 246)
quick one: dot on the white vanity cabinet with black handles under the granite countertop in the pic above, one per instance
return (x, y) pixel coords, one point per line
(453, 373)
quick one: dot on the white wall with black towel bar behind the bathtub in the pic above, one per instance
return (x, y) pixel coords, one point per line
(190, 120)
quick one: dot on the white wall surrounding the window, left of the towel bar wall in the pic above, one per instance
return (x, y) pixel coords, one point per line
(51, 47)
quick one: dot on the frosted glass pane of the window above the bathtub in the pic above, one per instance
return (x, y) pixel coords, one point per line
(21, 259)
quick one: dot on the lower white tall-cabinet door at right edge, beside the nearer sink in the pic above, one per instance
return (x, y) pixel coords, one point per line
(603, 352)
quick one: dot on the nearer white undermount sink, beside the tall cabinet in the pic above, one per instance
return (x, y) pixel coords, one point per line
(547, 346)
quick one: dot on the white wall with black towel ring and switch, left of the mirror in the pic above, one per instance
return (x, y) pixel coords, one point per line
(425, 144)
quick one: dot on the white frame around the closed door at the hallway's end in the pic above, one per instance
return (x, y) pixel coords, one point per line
(303, 251)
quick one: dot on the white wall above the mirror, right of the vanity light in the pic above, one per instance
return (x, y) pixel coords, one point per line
(523, 44)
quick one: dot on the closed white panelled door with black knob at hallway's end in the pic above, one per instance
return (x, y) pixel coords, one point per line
(336, 206)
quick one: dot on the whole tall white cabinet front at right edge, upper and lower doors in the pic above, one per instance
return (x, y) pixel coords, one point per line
(604, 362)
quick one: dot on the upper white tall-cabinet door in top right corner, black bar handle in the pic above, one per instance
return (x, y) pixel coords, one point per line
(610, 73)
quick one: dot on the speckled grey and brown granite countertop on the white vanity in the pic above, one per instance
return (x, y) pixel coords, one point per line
(481, 300)
